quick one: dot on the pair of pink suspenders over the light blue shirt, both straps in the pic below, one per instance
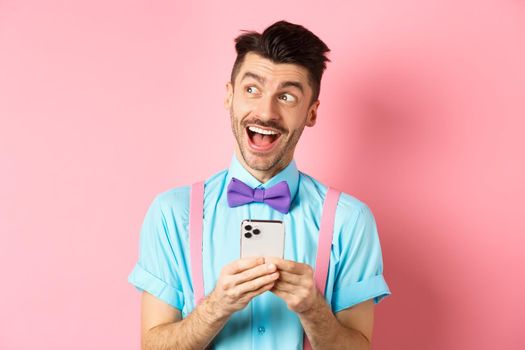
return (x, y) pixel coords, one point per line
(323, 246)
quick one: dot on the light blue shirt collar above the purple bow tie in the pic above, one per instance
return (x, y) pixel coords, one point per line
(290, 174)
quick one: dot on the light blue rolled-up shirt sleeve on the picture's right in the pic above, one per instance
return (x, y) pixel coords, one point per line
(359, 271)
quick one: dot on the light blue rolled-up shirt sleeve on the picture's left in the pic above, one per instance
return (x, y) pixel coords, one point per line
(156, 269)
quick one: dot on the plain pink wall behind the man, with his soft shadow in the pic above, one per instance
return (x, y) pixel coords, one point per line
(104, 104)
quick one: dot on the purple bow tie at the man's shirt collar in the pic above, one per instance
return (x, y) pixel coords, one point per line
(278, 197)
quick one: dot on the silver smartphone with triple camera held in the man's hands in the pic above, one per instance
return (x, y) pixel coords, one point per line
(262, 238)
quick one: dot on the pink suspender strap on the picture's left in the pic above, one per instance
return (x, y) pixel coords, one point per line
(196, 216)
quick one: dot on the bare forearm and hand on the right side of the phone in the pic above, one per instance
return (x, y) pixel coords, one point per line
(349, 329)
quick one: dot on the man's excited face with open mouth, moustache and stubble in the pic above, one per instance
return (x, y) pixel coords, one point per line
(269, 104)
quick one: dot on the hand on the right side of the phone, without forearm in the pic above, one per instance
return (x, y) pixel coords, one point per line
(296, 285)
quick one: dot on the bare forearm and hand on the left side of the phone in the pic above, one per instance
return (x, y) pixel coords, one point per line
(240, 281)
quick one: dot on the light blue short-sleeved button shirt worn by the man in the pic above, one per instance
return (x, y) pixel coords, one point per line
(163, 268)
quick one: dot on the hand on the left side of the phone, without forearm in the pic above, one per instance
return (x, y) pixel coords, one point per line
(241, 281)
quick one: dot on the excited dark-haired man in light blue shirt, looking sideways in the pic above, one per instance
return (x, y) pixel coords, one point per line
(264, 302)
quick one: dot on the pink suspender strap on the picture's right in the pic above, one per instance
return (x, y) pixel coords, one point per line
(324, 245)
